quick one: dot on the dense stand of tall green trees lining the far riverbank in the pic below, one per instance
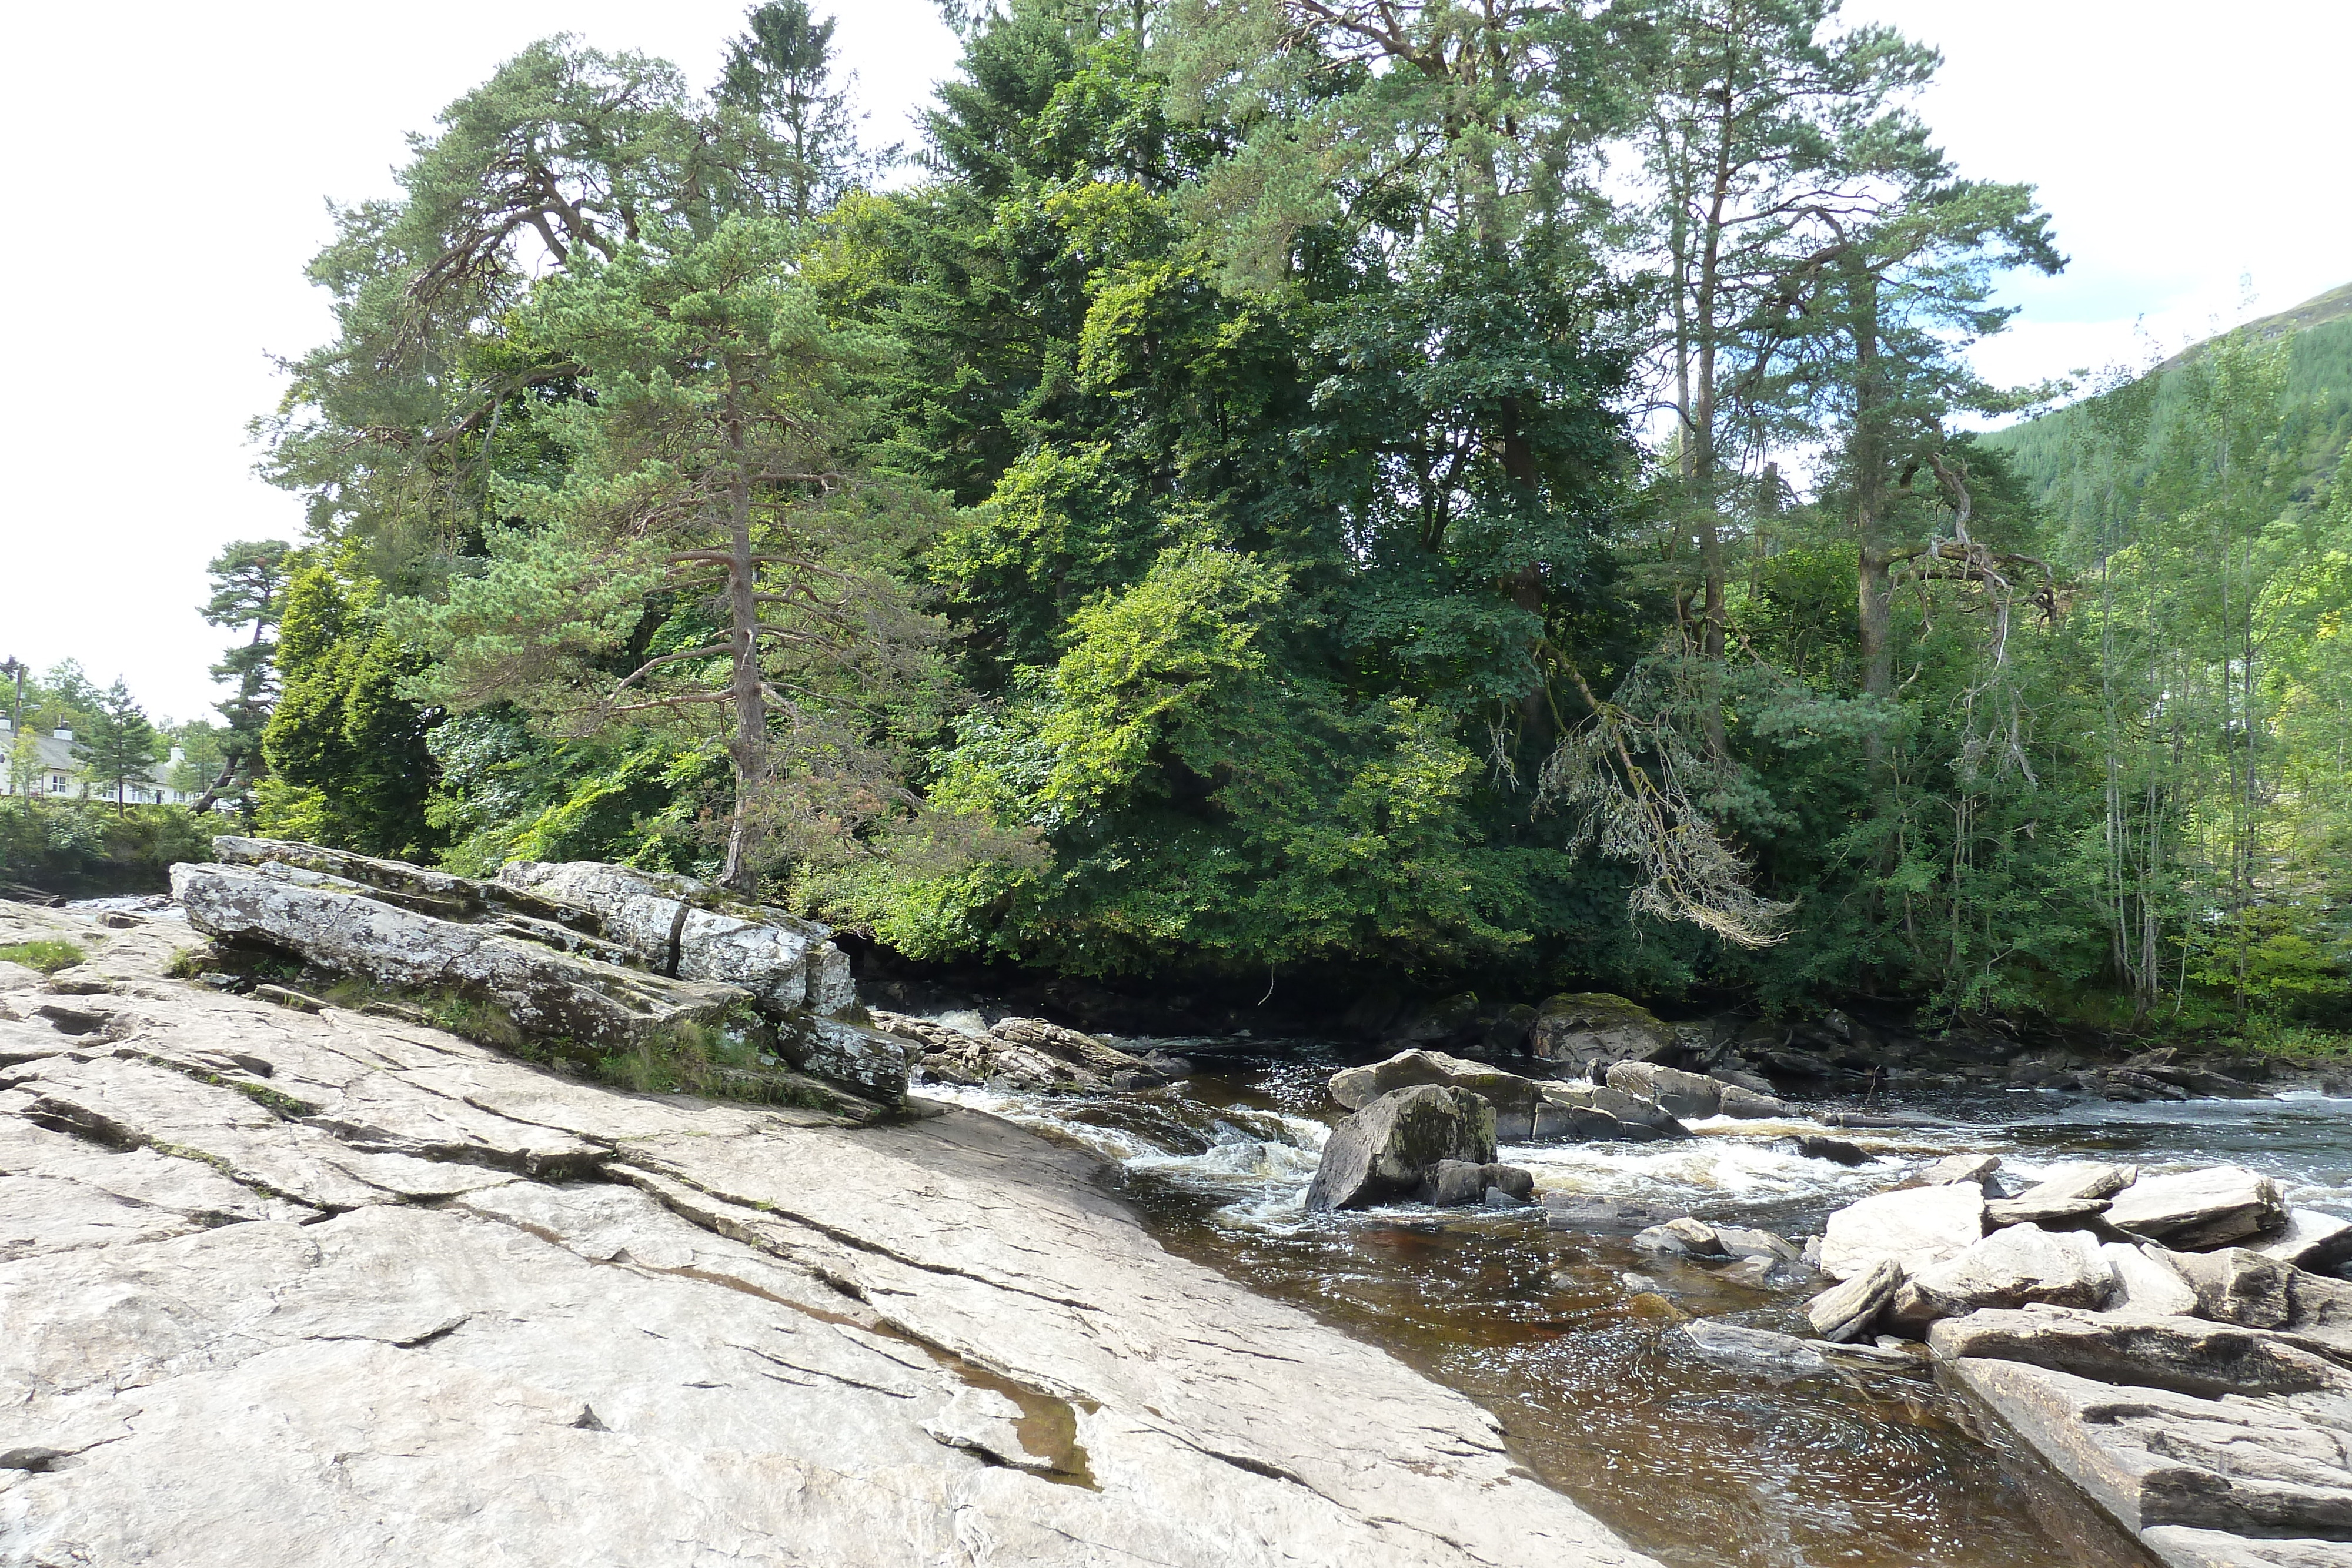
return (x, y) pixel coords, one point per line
(1323, 490)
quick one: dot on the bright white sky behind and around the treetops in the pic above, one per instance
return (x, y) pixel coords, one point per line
(171, 166)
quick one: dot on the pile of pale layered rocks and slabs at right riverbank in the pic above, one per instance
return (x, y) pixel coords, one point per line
(2134, 1334)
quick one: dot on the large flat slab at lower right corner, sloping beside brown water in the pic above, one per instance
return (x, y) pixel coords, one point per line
(2158, 1459)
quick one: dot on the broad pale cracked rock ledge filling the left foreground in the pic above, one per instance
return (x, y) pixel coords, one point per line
(321, 1287)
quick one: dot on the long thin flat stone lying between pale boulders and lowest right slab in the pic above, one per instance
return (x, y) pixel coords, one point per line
(2167, 1353)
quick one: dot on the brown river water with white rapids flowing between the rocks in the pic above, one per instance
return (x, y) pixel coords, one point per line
(1570, 1339)
